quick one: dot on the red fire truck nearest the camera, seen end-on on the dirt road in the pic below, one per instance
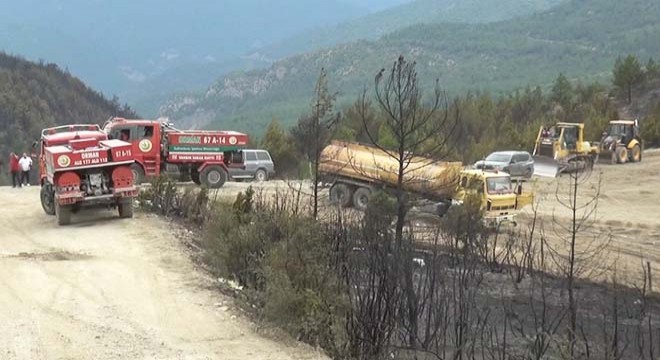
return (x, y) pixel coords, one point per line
(80, 167)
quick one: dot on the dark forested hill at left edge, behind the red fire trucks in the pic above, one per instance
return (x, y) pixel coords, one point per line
(34, 96)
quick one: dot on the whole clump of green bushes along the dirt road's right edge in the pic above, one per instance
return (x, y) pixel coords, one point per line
(284, 262)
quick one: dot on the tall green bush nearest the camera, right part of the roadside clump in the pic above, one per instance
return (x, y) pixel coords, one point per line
(302, 292)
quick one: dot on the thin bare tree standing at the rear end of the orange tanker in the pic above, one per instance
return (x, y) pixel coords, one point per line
(314, 130)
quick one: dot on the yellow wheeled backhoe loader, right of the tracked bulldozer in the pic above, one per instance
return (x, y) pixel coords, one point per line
(622, 142)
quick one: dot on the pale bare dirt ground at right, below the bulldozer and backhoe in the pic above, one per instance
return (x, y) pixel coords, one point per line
(628, 210)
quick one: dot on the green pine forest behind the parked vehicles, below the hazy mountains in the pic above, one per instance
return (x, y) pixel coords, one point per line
(487, 122)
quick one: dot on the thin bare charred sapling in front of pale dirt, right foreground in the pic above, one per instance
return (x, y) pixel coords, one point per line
(578, 244)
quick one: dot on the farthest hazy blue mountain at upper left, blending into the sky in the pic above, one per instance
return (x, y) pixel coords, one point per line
(113, 45)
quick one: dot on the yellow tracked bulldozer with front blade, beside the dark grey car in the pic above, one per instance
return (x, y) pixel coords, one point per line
(562, 148)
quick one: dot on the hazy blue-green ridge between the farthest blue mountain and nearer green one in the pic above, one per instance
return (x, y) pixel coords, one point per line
(416, 12)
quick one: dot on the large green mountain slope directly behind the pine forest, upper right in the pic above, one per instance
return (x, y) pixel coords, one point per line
(580, 38)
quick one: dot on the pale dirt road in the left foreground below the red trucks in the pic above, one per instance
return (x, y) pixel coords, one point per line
(106, 288)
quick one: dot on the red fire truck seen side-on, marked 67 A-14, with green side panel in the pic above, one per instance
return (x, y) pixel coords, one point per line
(158, 148)
